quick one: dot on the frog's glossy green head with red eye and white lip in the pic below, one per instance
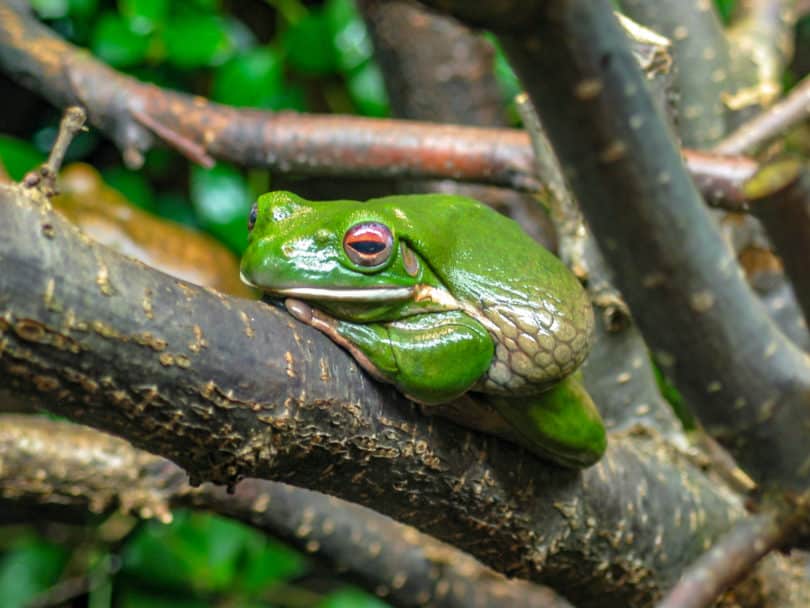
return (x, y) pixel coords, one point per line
(345, 257)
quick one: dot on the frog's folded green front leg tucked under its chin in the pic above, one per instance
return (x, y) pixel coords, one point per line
(432, 358)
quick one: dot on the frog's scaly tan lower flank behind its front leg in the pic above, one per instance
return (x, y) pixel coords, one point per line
(534, 348)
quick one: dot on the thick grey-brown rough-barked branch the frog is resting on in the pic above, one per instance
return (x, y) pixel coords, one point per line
(229, 388)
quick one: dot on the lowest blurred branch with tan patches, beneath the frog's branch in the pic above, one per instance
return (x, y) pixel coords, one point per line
(72, 471)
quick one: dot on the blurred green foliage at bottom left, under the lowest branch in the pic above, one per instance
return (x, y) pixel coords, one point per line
(197, 560)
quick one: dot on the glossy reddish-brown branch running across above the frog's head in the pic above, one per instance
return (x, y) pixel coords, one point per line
(282, 141)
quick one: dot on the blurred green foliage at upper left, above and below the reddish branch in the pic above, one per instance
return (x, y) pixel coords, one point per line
(275, 55)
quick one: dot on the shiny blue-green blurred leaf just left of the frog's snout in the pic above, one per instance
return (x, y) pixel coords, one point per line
(221, 198)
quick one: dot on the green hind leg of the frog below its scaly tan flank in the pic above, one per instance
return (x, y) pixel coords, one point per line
(561, 424)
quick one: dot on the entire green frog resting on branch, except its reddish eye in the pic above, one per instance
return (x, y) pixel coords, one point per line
(465, 302)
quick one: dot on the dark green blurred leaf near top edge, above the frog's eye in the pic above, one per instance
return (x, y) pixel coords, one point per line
(309, 46)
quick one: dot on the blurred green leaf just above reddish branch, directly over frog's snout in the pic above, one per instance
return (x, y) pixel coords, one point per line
(251, 79)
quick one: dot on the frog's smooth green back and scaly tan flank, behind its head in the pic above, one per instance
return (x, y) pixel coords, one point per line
(532, 305)
